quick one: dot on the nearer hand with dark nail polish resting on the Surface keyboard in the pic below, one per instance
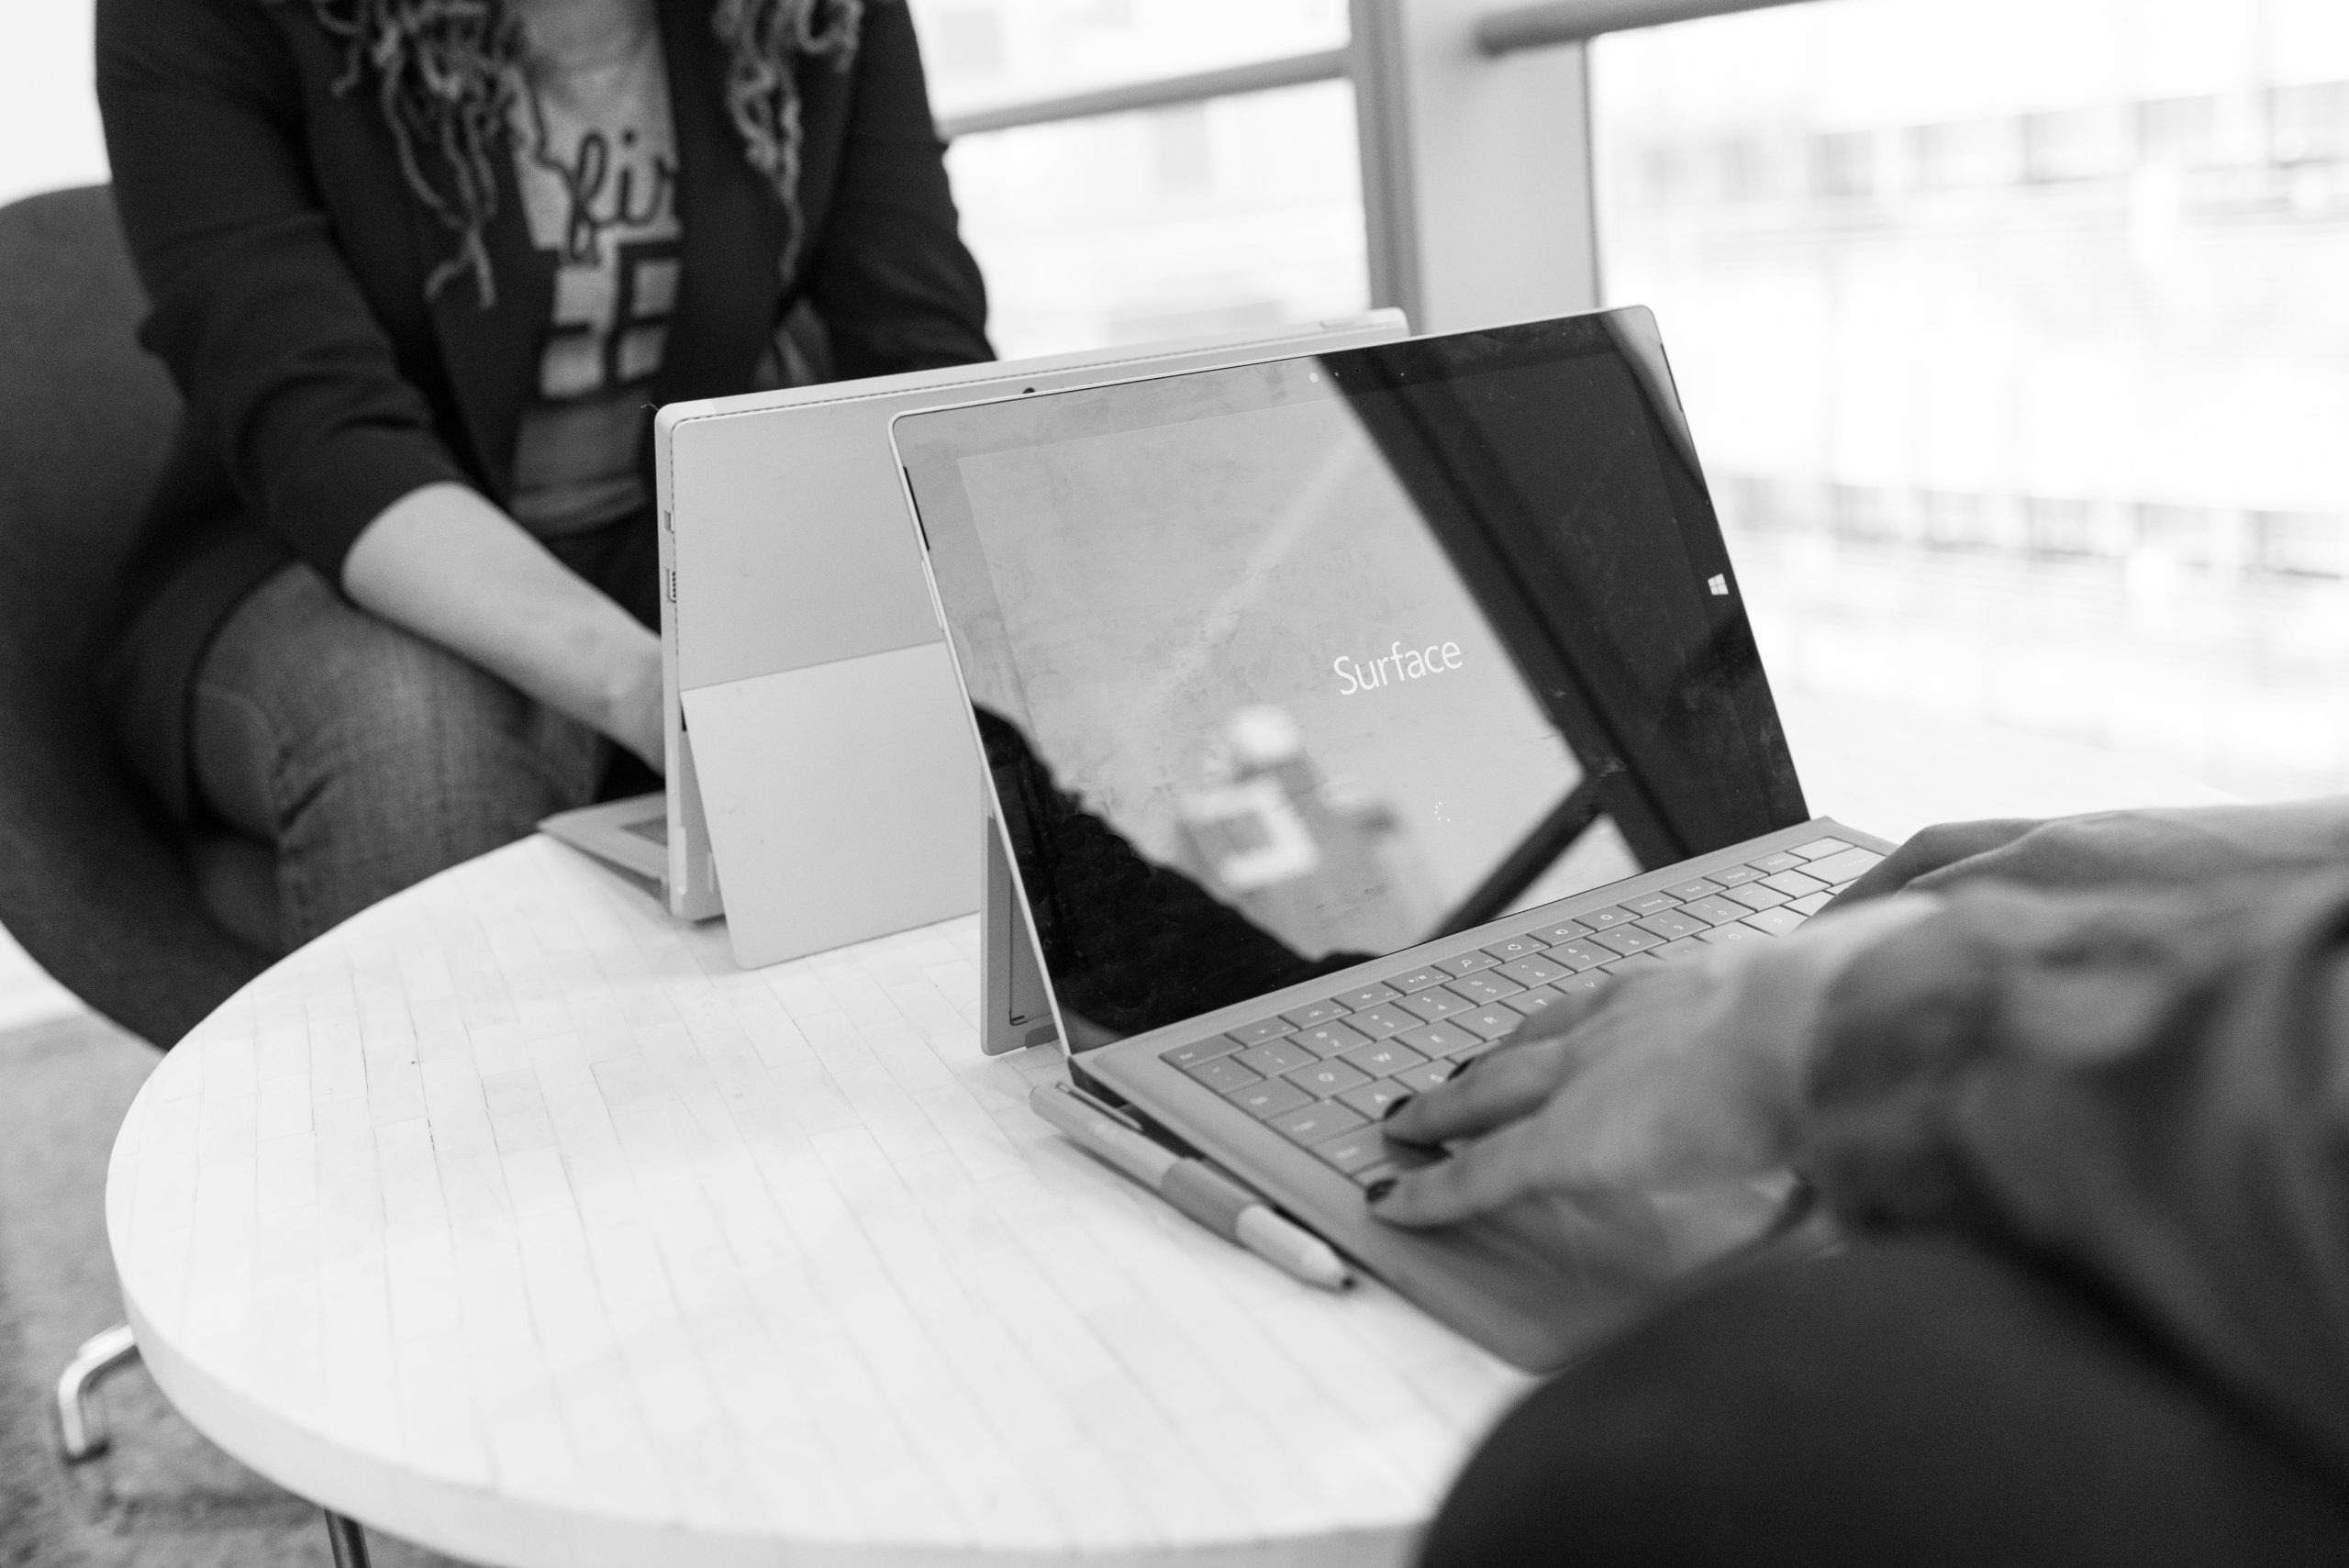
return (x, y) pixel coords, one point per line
(1676, 1081)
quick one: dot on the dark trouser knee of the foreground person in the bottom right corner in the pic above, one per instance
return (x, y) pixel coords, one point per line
(1909, 1403)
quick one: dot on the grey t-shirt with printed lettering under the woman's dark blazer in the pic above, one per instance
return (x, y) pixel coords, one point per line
(600, 191)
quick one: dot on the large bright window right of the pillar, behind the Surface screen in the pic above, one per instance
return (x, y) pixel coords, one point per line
(2026, 400)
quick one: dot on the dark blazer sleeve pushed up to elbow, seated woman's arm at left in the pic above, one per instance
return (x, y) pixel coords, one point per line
(264, 327)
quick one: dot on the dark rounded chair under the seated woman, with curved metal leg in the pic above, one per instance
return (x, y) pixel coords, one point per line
(93, 879)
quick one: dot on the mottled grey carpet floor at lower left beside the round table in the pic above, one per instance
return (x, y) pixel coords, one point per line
(161, 1496)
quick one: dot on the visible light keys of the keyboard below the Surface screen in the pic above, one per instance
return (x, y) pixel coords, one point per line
(1324, 1074)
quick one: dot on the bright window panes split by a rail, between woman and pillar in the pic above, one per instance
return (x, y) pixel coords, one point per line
(1225, 215)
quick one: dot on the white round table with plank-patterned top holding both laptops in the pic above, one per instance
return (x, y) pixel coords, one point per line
(518, 1222)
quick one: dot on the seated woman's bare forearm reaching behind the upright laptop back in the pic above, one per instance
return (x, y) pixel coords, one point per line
(450, 567)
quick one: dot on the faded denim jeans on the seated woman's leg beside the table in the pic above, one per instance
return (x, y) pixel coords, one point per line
(368, 757)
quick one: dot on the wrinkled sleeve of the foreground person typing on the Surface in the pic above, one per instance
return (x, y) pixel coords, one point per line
(2146, 1090)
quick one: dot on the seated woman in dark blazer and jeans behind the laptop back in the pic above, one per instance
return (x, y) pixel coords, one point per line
(422, 271)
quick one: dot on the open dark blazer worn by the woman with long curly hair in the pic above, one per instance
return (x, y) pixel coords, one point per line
(285, 262)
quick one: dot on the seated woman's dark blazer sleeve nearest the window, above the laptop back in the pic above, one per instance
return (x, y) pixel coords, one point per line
(894, 281)
